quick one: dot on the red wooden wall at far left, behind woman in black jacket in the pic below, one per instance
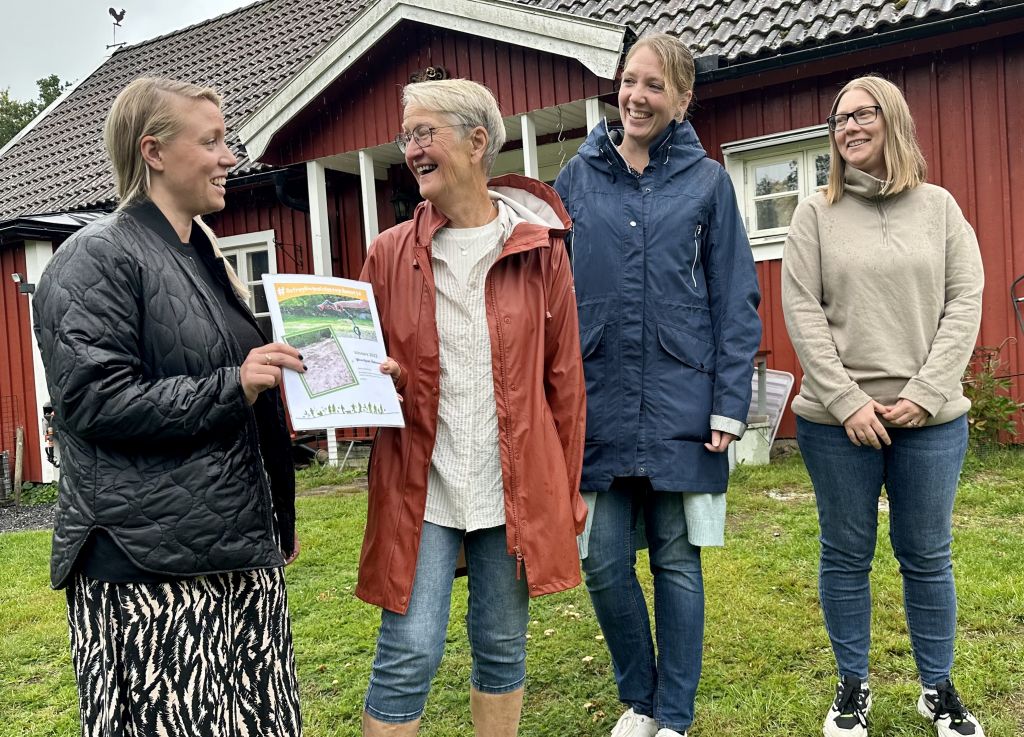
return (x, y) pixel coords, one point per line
(18, 387)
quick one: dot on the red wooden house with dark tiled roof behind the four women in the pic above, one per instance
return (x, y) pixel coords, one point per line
(312, 91)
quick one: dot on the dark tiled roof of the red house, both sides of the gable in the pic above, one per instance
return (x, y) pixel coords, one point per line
(61, 165)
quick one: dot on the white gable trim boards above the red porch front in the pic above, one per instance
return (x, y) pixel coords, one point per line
(598, 45)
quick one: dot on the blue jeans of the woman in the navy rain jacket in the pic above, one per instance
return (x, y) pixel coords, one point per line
(664, 688)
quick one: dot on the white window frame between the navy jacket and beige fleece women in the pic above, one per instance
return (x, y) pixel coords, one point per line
(767, 245)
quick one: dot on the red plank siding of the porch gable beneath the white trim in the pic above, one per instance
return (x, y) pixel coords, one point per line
(362, 109)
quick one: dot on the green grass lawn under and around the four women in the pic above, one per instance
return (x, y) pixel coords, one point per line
(769, 669)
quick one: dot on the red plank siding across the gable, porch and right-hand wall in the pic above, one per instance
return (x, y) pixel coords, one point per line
(961, 98)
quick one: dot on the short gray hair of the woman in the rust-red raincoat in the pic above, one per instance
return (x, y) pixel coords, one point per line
(465, 102)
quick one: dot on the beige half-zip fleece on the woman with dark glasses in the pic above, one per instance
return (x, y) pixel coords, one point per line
(882, 297)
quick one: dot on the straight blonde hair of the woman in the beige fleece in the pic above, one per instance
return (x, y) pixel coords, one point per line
(906, 166)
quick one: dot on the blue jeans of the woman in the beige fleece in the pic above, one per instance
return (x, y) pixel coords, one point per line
(920, 472)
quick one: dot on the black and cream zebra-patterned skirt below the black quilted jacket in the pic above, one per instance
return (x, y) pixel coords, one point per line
(205, 658)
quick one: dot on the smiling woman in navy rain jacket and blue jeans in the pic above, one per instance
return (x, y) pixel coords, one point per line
(668, 299)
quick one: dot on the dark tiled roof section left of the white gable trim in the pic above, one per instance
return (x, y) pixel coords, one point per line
(249, 54)
